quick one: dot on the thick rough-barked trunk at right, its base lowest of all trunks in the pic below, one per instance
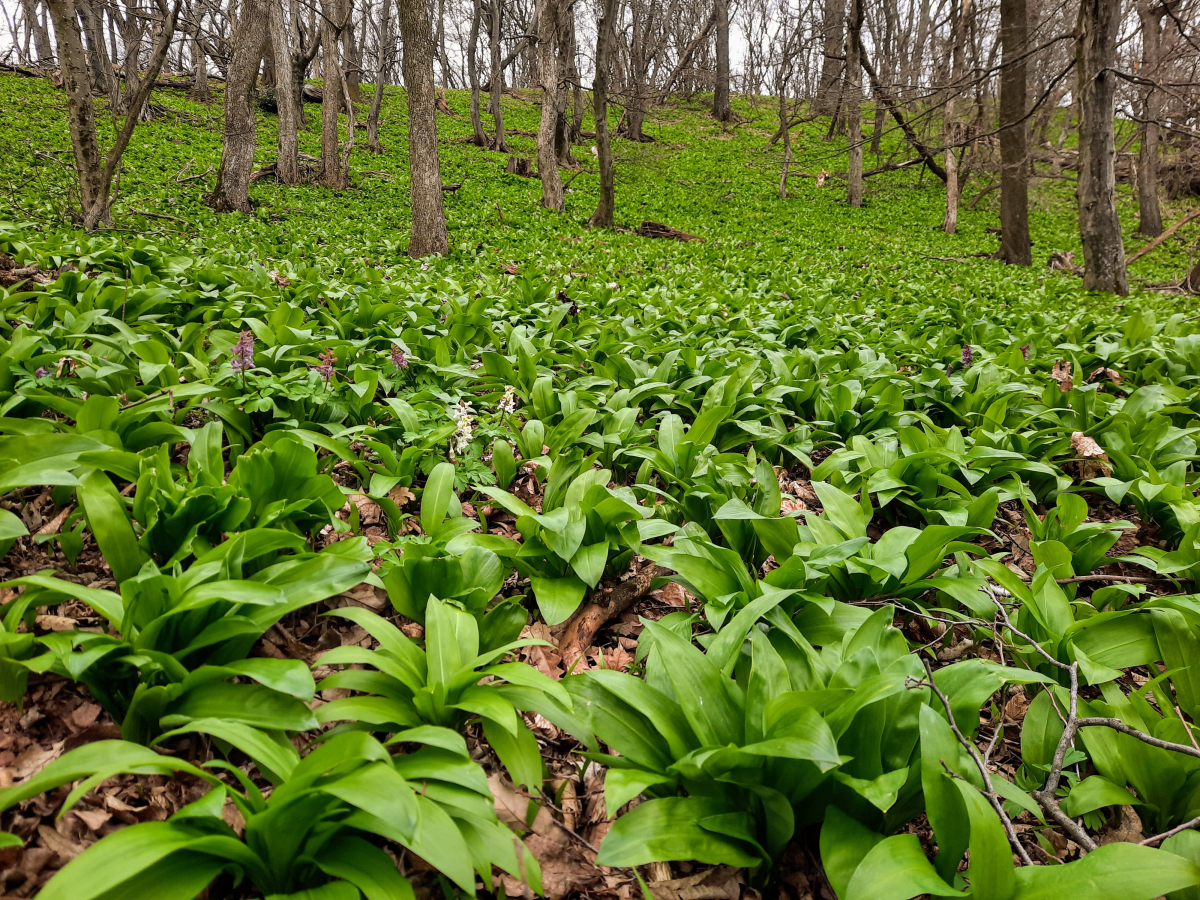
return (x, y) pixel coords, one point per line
(1096, 40)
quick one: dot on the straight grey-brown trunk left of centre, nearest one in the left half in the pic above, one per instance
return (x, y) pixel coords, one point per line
(429, 235)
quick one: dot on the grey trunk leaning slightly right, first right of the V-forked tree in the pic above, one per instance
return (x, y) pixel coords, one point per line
(232, 191)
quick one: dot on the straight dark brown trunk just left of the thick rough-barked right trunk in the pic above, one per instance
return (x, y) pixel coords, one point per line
(1015, 166)
